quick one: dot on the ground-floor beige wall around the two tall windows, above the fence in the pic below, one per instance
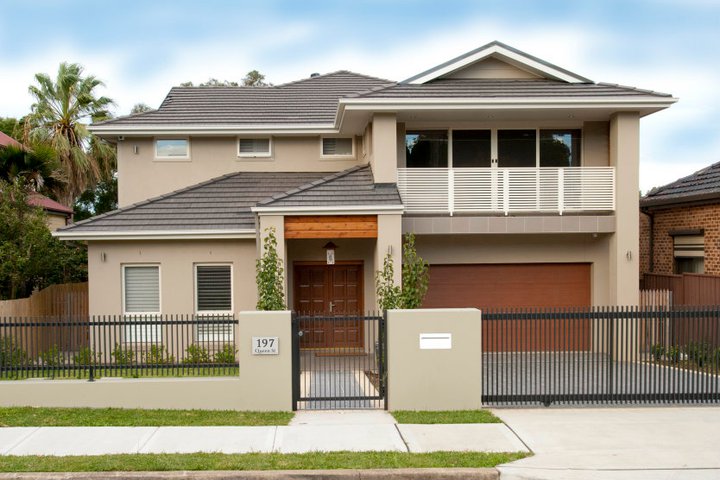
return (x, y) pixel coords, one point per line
(176, 260)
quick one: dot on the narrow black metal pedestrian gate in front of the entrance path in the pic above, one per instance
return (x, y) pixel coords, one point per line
(339, 362)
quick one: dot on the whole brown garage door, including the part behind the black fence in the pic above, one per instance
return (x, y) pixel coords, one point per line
(507, 286)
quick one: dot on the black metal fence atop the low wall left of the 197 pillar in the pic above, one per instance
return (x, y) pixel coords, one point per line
(117, 346)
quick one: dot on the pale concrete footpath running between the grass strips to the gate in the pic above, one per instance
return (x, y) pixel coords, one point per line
(308, 431)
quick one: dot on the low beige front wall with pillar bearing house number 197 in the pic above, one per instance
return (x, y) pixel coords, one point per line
(264, 382)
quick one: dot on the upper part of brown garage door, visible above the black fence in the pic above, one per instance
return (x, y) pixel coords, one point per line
(509, 285)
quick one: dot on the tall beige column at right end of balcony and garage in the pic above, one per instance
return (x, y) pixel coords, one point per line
(624, 245)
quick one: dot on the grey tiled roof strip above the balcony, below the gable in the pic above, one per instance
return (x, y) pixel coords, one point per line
(487, 88)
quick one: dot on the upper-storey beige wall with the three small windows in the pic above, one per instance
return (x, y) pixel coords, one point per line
(140, 176)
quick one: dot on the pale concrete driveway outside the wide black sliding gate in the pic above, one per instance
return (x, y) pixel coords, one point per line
(616, 443)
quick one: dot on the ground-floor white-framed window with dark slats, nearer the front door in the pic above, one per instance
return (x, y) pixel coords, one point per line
(214, 300)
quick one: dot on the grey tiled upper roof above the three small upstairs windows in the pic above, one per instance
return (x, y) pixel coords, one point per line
(310, 101)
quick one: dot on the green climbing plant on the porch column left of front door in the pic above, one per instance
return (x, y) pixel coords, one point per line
(269, 275)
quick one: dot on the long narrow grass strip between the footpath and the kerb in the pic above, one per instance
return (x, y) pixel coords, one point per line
(255, 461)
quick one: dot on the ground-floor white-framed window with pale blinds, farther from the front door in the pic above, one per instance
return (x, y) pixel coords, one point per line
(141, 302)
